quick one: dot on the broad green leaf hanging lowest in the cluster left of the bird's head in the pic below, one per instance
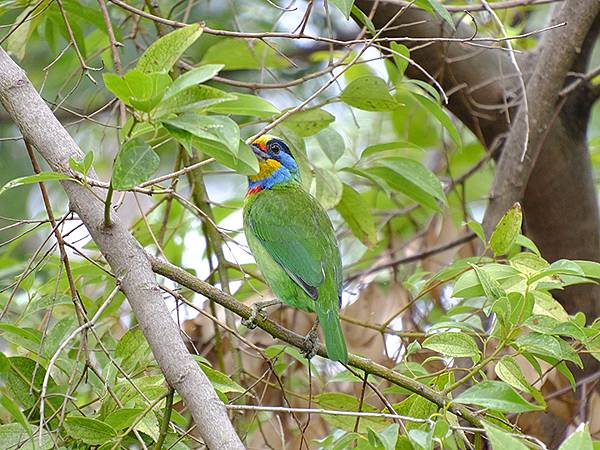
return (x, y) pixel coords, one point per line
(134, 164)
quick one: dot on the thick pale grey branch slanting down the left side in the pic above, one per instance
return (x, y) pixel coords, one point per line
(125, 256)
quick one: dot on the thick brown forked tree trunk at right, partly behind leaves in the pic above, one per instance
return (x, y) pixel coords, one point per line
(554, 182)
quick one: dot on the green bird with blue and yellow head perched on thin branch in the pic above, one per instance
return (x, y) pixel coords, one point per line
(293, 241)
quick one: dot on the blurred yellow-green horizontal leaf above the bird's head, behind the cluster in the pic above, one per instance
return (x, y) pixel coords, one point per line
(239, 54)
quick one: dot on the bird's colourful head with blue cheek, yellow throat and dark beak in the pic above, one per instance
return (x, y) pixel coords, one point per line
(276, 164)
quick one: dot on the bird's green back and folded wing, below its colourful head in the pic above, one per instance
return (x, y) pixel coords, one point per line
(296, 232)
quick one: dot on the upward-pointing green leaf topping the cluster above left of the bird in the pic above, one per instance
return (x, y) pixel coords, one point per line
(162, 55)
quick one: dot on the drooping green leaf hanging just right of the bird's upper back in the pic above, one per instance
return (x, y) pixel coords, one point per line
(355, 211)
